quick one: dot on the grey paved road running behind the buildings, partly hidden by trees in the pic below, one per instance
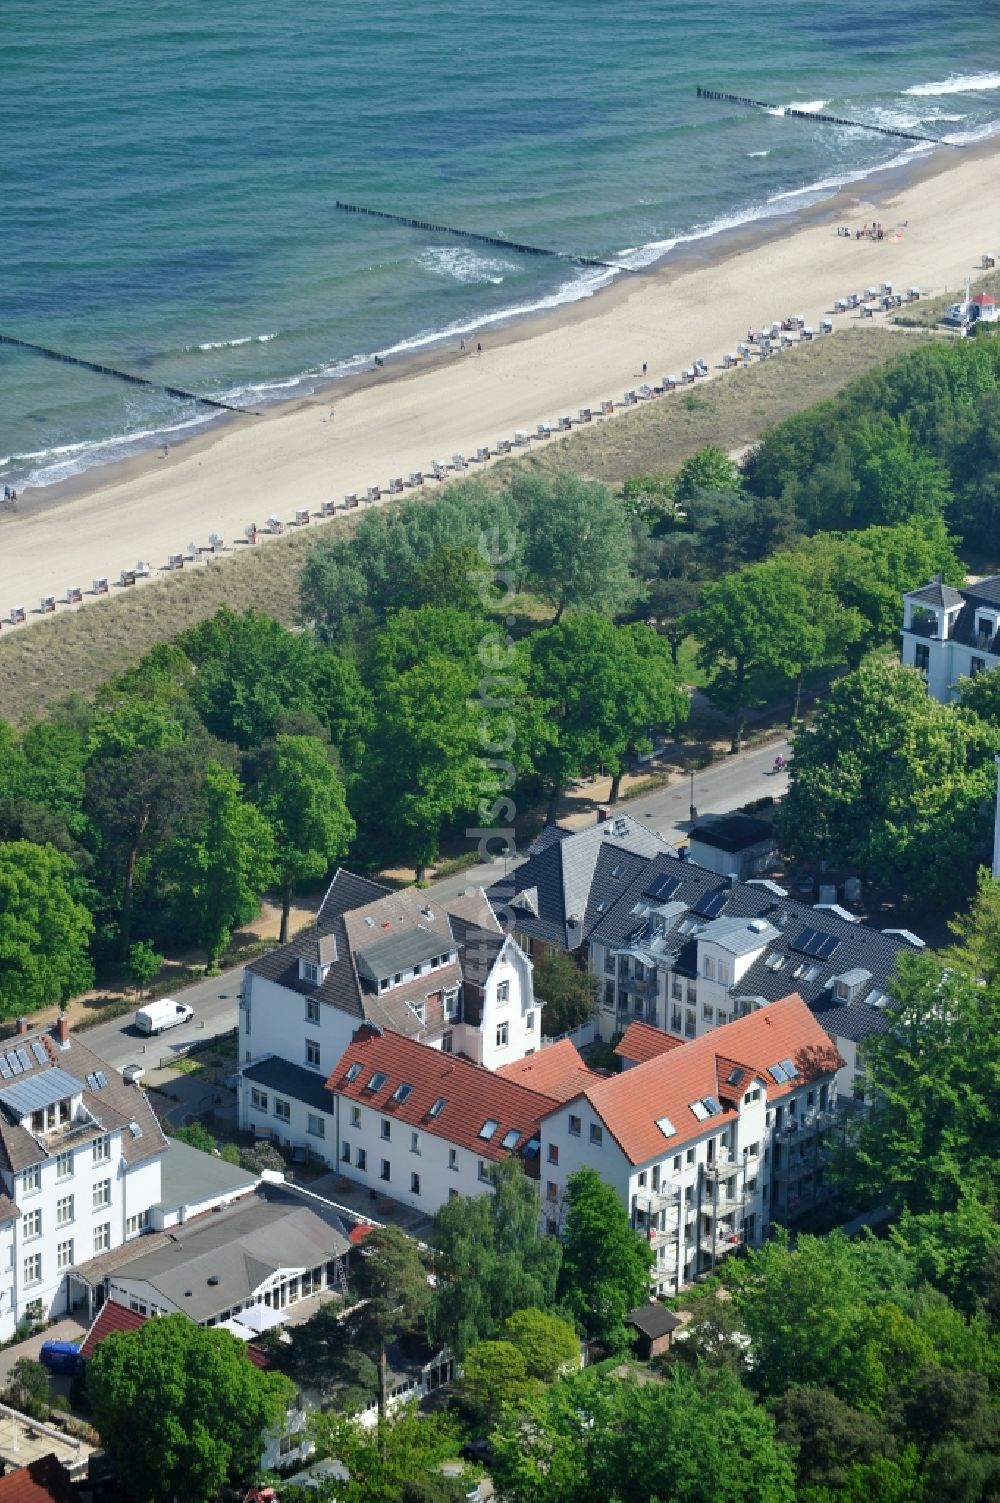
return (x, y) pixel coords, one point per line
(720, 790)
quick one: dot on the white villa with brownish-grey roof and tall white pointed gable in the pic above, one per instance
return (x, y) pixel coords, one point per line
(441, 973)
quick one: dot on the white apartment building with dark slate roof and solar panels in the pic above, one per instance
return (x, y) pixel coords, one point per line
(689, 951)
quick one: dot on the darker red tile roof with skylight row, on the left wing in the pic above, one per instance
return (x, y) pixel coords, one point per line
(471, 1095)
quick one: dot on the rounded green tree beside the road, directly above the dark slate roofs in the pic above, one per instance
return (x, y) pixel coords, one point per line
(604, 691)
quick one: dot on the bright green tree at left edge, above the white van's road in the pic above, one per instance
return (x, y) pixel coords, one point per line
(44, 931)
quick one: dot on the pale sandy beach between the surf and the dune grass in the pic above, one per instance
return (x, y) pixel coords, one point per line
(695, 306)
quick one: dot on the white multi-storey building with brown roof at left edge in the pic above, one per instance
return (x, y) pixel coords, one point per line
(80, 1169)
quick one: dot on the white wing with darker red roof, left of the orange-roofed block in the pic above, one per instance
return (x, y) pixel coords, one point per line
(420, 1126)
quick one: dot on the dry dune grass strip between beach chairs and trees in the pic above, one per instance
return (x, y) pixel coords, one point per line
(77, 652)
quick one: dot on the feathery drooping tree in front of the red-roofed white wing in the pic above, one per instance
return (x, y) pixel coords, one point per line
(491, 1260)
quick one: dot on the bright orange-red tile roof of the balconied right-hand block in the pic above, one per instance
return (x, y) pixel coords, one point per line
(631, 1104)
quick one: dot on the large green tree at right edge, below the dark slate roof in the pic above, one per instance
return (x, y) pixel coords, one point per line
(932, 1137)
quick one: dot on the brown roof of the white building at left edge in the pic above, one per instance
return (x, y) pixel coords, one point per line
(50, 1072)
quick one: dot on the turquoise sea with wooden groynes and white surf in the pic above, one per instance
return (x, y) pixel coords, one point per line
(169, 174)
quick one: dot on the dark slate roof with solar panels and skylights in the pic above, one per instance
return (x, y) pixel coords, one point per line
(783, 969)
